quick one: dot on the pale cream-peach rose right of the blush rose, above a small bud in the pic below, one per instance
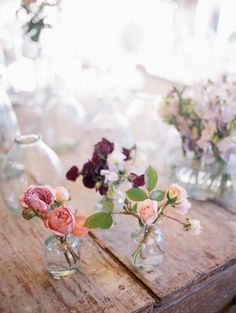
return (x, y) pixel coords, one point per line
(182, 205)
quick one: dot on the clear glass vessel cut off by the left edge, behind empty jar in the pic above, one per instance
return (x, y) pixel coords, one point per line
(8, 122)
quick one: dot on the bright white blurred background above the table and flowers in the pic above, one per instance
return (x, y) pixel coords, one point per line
(76, 70)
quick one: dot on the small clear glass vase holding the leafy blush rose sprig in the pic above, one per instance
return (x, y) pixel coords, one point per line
(147, 247)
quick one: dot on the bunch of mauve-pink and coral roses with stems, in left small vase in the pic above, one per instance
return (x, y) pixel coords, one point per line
(50, 205)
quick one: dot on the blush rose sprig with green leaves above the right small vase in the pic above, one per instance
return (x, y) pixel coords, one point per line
(148, 205)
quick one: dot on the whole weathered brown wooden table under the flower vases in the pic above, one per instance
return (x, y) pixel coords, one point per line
(198, 274)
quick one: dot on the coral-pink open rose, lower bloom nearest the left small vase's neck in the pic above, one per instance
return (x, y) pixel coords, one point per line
(61, 220)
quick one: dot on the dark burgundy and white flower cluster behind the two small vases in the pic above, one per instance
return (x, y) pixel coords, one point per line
(107, 169)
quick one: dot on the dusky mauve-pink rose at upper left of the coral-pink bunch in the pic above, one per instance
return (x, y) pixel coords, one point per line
(38, 198)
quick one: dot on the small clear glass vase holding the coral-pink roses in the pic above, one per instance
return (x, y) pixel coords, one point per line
(62, 255)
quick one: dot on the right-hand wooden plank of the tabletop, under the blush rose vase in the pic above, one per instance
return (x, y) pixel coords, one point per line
(190, 261)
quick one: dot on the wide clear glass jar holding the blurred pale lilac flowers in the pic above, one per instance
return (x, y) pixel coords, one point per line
(203, 179)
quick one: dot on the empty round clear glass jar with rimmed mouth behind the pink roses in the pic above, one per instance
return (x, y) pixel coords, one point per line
(29, 162)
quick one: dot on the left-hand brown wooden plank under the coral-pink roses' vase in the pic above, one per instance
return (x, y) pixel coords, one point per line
(101, 285)
